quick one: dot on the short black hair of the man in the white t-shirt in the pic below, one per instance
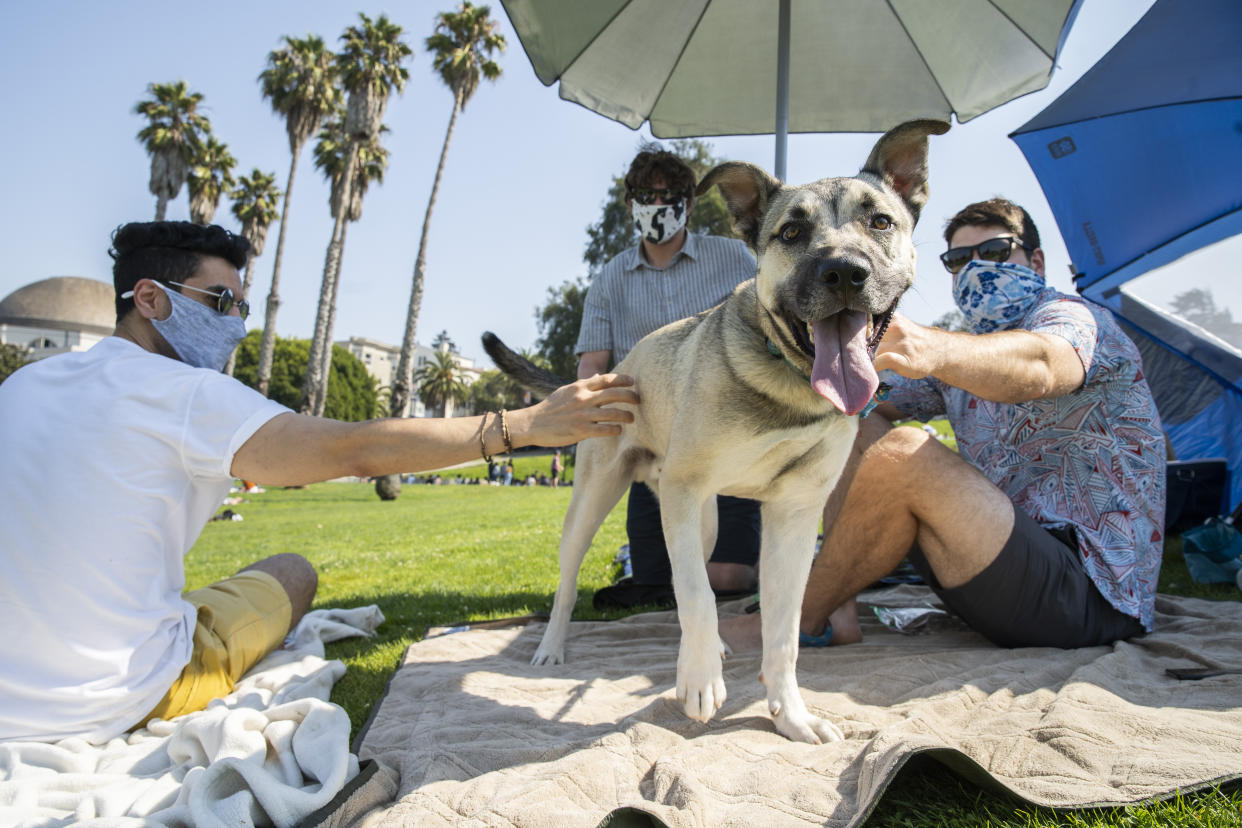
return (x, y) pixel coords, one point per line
(168, 251)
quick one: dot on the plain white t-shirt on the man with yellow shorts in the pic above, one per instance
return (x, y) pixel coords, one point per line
(111, 464)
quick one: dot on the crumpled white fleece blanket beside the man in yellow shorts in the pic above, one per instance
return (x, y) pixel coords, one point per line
(271, 753)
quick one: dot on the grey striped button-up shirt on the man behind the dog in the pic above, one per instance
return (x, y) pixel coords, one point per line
(630, 299)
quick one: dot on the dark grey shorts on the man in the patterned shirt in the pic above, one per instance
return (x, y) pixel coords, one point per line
(1035, 594)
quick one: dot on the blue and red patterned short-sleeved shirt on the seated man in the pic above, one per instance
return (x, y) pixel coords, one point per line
(1094, 459)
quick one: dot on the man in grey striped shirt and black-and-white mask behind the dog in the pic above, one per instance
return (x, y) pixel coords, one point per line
(668, 276)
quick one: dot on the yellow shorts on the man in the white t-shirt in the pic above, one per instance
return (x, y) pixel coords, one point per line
(242, 620)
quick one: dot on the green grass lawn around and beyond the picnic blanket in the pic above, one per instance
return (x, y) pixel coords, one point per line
(443, 554)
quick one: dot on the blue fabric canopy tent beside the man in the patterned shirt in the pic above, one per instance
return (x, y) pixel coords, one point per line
(1142, 164)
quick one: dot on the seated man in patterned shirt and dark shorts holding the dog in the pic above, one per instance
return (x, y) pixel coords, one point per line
(1048, 529)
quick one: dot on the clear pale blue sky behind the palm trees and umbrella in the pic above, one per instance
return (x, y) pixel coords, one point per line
(526, 174)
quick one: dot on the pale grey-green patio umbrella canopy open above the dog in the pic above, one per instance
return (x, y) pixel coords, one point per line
(743, 68)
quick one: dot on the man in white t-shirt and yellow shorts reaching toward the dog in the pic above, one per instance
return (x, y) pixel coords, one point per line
(116, 459)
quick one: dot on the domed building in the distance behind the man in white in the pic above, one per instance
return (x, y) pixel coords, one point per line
(64, 313)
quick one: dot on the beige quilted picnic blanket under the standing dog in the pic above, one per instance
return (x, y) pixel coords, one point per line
(480, 737)
